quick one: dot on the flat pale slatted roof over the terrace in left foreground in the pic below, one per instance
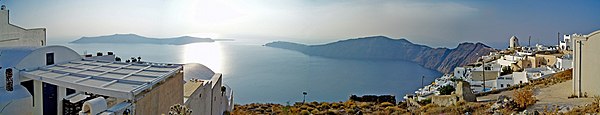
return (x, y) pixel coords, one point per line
(115, 79)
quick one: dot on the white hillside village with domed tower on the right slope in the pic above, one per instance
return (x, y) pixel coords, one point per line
(520, 64)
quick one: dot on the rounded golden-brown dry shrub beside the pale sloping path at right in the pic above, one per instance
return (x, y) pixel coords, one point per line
(524, 97)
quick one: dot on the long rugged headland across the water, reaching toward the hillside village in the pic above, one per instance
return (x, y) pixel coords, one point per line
(381, 47)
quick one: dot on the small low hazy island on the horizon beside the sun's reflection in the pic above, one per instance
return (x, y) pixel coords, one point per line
(137, 39)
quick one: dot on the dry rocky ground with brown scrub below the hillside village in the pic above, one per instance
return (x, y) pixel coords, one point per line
(548, 96)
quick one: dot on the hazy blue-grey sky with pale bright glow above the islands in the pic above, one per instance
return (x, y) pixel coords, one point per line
(433, 23)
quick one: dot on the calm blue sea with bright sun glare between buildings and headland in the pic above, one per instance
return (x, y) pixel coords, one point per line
(270, 75)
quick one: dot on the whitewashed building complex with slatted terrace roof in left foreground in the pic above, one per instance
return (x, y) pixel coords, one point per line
(37, 79)
